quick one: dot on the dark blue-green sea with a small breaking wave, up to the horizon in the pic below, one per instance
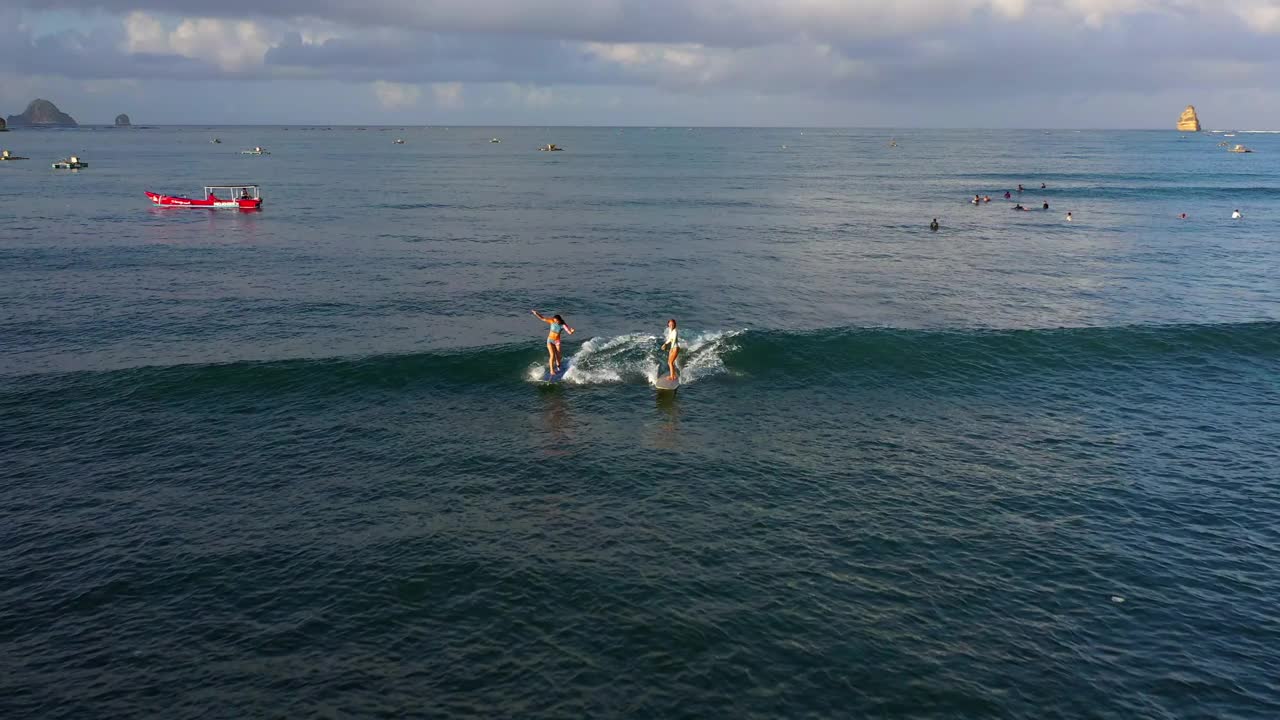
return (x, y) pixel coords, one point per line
(298, 463)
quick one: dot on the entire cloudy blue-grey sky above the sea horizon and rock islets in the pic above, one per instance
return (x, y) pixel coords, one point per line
(810, 63)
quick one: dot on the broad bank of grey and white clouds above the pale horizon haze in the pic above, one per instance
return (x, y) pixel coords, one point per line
(847, 54)
